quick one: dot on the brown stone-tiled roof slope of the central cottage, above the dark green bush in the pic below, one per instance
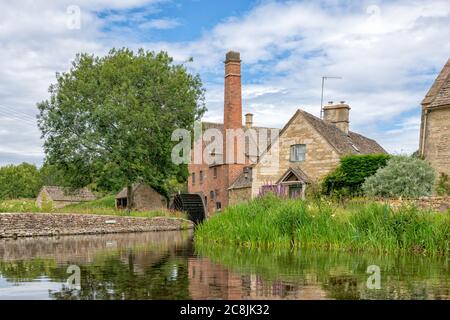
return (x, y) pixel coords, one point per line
(353, 143)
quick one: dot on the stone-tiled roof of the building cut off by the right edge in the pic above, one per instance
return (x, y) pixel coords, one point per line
(439, 92)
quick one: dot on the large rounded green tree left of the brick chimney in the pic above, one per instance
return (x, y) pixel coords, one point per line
(109, 119)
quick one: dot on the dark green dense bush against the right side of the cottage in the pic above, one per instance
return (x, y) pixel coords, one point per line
(347, 179)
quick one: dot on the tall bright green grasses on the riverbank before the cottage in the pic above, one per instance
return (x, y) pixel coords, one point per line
(272, 222)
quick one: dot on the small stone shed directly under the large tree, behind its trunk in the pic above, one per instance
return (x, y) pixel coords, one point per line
(145, 198)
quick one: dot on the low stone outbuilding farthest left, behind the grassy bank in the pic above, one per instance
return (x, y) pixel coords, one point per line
(60, 197)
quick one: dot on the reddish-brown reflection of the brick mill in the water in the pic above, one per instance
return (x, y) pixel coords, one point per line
(210, 281)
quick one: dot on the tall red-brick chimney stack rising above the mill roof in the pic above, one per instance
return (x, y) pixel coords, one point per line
(233, 98)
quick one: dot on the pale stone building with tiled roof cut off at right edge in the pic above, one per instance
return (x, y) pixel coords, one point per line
(435, 126)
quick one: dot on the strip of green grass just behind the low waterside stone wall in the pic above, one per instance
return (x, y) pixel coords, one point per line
(102, 206)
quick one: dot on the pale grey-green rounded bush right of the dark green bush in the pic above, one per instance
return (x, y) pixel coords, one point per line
(402, 177)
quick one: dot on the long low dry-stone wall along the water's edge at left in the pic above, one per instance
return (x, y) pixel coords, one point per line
(44, 224)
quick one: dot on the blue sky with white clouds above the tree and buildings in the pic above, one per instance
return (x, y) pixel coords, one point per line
(388, 54)
